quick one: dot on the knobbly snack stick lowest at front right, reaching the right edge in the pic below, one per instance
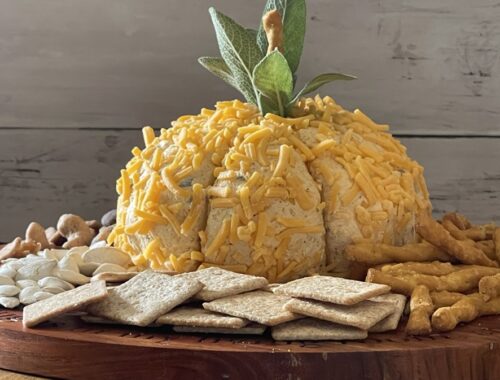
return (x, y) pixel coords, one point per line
(465, 310)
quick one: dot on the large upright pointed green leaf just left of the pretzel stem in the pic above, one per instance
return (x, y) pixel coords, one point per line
(239, 50)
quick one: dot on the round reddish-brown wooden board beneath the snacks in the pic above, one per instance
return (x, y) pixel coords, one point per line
(69, 348)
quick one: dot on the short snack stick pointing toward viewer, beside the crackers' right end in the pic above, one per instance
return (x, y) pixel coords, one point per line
(421, 308)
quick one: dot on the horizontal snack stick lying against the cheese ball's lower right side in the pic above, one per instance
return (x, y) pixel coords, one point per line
(378, 253)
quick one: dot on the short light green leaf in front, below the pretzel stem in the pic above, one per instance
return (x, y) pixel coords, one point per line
(273, 79)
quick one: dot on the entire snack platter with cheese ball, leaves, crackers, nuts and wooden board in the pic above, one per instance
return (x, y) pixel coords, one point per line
(282, 237)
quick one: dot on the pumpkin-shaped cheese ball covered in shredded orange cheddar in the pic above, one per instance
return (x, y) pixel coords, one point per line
(266, 195)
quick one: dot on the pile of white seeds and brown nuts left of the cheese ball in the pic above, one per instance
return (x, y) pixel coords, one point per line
(54, 260)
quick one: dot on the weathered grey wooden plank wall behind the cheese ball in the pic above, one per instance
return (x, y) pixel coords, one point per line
(78, 78)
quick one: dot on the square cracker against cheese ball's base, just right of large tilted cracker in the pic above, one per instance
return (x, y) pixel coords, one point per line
(221, 283)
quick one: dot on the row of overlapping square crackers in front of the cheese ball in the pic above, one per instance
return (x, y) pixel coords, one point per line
(214, 300)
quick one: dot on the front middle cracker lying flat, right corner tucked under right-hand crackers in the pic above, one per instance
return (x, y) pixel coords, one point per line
(258, 306)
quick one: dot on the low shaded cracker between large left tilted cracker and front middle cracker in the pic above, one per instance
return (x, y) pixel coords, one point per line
(198, 317)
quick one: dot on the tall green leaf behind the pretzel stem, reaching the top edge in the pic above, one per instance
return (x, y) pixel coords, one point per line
(293, 15)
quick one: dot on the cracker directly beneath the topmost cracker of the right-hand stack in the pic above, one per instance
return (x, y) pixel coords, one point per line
(362, 315)
